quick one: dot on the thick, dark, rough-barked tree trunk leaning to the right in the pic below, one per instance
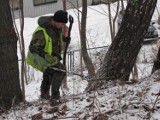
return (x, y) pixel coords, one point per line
(122, 54)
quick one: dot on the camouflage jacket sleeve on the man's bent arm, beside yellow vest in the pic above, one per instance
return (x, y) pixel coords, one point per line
(37, 44)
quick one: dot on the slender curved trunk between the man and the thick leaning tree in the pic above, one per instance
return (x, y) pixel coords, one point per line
(85, 55)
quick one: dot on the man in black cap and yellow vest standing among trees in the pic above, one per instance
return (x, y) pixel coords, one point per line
(45, 53)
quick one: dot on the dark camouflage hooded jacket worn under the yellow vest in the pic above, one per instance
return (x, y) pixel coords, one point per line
(38, 41)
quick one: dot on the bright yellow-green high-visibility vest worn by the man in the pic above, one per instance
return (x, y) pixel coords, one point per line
(34, 59)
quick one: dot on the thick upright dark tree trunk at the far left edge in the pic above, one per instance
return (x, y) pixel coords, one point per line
(10, 92)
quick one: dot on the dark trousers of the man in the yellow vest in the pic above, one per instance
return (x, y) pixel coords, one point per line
(52, 78)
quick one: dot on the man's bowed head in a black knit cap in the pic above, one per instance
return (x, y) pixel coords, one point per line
(60, 18)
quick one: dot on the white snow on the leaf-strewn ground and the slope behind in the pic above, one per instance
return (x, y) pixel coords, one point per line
(118, 101)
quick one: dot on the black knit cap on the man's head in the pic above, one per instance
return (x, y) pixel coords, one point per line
(60, 16)
